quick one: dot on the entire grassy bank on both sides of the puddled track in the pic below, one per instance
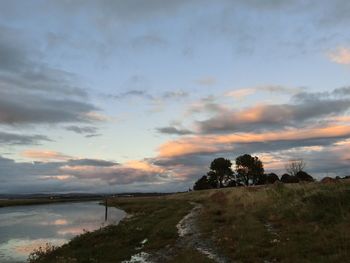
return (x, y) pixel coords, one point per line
(278, 223)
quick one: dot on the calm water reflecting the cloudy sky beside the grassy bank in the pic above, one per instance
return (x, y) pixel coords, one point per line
(24, 228)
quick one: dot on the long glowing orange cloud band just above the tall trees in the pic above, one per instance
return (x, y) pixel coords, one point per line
(216, 143)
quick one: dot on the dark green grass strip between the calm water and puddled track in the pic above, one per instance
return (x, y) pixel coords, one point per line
(153, 219)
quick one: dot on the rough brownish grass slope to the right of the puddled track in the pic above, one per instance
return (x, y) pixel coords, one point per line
(281, 223)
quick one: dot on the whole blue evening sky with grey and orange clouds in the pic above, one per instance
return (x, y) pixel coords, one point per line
(141, 95)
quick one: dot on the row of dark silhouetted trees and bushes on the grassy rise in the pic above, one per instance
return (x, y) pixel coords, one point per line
(249, 170)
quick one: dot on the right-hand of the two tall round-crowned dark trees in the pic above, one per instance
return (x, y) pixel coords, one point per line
(249, 169)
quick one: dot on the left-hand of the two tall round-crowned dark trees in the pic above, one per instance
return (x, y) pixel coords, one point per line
(220, 171)
